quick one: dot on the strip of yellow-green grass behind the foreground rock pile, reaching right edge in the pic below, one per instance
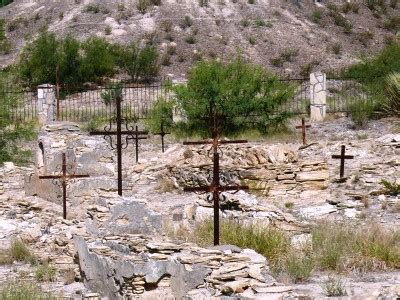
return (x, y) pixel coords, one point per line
(337, 247)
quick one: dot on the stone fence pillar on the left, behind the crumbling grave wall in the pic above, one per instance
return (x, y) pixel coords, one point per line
(46, 104)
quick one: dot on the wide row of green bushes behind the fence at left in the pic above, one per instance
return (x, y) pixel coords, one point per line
(89, 61)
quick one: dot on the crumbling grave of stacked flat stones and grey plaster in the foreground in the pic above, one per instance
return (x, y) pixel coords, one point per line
(127, 265)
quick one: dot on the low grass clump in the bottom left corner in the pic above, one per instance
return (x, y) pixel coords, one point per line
(16, 290)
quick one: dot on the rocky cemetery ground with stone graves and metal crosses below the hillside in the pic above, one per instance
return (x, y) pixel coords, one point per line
(116, 216)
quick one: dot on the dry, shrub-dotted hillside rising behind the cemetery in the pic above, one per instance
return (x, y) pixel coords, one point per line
(282, 35)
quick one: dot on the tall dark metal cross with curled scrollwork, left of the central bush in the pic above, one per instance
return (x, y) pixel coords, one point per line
(129, 134)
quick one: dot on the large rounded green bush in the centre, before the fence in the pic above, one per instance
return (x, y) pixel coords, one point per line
(238, 90)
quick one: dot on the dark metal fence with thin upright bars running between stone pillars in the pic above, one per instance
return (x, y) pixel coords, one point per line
(85, 102)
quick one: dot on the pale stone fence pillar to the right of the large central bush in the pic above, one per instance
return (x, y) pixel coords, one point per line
(317, 96)
